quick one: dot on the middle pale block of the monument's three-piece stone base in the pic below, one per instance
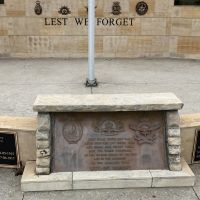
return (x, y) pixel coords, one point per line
(112, 179)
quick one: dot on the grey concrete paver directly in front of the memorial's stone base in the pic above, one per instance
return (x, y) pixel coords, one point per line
(120, 194)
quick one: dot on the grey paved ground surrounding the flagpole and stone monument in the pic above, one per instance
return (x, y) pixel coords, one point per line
(22, 80)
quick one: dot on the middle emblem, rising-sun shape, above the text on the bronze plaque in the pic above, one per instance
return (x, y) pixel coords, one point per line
(109, 127)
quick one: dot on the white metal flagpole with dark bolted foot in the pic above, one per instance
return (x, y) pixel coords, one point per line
(91, 80)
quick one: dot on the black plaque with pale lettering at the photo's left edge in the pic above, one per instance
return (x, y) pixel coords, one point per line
(9, 156)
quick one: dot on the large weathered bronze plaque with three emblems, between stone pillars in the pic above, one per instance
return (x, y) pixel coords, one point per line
(108, 141)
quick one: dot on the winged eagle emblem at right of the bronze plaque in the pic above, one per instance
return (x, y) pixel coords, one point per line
(145, 132)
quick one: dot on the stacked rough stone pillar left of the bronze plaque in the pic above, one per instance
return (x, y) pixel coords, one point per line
(43, 141)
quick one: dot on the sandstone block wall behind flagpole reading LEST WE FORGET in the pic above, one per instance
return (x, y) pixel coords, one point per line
(124, 28)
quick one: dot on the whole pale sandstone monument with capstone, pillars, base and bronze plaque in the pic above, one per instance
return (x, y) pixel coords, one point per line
(107, 141)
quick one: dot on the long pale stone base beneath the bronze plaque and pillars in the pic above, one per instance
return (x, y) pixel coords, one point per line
(105, 179)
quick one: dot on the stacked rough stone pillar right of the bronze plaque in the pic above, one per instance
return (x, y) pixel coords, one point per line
(173, 140)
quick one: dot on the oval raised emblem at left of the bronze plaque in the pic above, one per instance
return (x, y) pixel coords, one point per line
(72, 131)
